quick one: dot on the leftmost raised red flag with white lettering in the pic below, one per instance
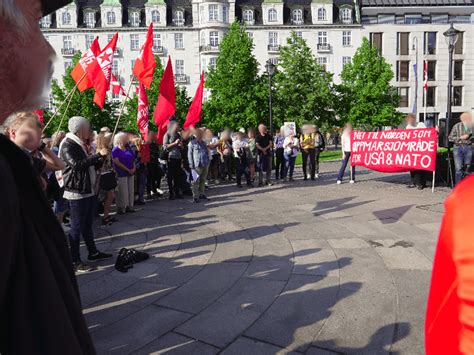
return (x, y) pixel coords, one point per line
(87, 65)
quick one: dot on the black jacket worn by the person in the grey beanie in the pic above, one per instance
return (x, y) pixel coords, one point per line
(76, 175)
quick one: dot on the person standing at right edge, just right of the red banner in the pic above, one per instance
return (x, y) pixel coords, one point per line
(461, 137)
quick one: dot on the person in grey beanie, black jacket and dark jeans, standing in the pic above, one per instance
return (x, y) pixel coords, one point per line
(80, 189)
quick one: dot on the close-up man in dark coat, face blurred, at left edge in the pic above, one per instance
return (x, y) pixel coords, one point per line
(40, 308)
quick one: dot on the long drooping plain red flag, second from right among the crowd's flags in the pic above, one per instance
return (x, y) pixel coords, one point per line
(166, 104)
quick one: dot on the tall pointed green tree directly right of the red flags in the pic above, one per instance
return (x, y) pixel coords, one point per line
(238, 94)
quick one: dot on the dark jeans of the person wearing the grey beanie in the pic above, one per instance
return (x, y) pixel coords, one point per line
(82, 217)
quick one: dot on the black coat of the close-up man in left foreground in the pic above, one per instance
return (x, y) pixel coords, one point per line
(40, 308)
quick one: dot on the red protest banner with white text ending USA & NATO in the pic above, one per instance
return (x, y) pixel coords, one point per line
(397, 150)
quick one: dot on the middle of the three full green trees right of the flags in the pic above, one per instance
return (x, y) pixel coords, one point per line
(303, 88)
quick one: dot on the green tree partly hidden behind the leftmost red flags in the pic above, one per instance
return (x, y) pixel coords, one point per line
(82, 104)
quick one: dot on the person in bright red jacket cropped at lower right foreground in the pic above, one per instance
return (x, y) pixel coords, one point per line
(449, 327)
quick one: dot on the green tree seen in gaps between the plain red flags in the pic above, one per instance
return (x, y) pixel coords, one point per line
(128, 120)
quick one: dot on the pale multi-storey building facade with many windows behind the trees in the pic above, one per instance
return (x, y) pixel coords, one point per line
(190, 31)
